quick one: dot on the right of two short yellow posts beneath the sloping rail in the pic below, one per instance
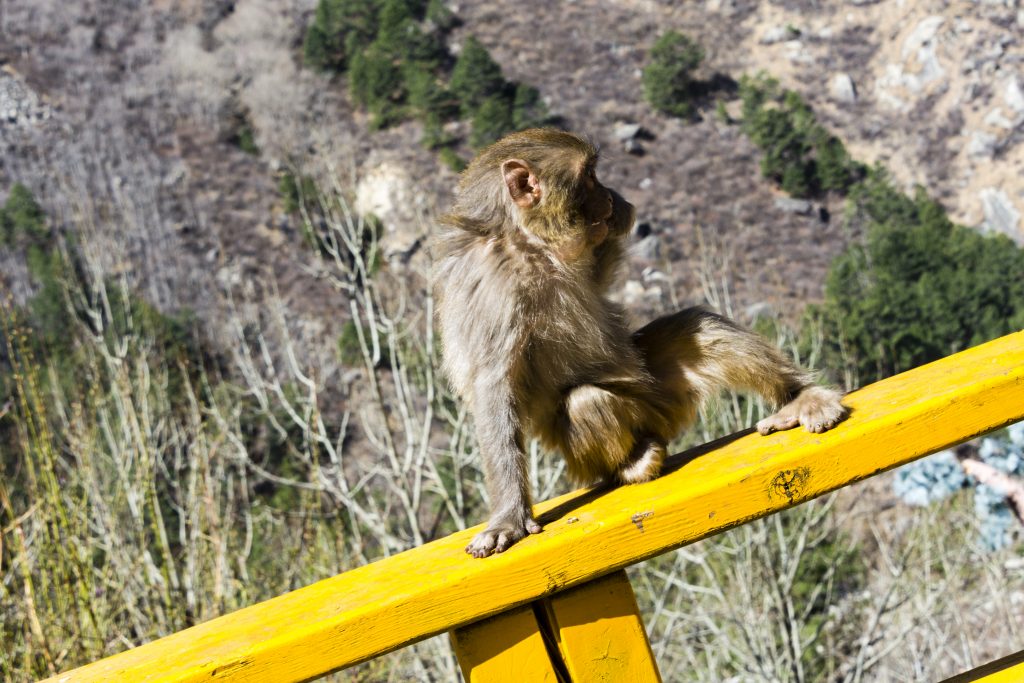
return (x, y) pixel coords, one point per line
(601, 632)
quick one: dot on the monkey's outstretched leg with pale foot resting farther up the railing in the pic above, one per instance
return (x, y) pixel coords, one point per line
(696, 353)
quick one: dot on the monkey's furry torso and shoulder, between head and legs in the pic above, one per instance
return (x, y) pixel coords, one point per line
(510, 312)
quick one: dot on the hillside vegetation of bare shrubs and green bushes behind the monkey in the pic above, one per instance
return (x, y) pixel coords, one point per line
(221, 389)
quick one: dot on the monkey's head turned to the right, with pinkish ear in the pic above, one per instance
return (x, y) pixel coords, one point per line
(542, 182)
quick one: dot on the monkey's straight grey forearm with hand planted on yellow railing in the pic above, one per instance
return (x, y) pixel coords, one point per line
(500, 438)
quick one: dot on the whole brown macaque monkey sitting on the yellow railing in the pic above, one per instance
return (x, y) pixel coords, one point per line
(534, 346)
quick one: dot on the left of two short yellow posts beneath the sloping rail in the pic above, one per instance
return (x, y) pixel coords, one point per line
(506, 649)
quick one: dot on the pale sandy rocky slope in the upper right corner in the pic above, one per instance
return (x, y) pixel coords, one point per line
(940, 95)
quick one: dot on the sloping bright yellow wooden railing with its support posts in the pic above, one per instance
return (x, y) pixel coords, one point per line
(558, 607)
